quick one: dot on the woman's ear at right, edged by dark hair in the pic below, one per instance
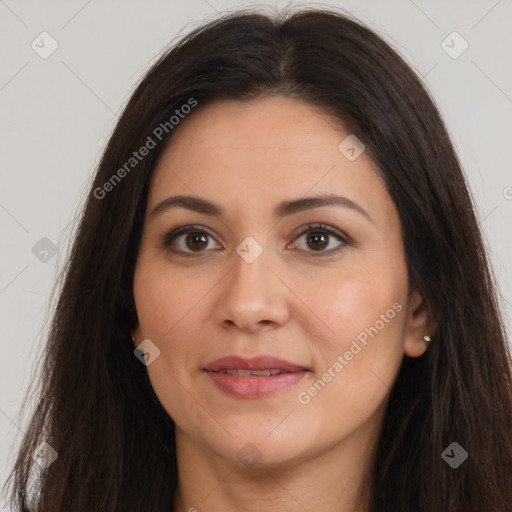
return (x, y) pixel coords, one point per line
(417, 326)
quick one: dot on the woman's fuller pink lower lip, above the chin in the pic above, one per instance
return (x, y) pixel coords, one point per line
(254, 387)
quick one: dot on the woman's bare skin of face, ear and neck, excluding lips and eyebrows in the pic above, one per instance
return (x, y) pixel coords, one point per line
(290, 302)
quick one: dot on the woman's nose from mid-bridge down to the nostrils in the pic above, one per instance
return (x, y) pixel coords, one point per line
(253, 296)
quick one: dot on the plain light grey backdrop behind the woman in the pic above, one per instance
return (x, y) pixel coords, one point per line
(57, 113)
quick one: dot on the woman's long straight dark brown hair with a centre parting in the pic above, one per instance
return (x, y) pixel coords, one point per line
(96, 407)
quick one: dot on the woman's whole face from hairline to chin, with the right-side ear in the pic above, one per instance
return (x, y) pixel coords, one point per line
(259, 275)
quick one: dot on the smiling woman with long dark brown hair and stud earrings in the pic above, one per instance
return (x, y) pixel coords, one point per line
(278, 296)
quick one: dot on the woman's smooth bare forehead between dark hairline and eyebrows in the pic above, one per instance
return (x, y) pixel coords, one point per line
(261, 152)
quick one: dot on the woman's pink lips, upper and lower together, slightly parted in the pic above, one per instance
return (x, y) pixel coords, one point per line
(255, 377)
